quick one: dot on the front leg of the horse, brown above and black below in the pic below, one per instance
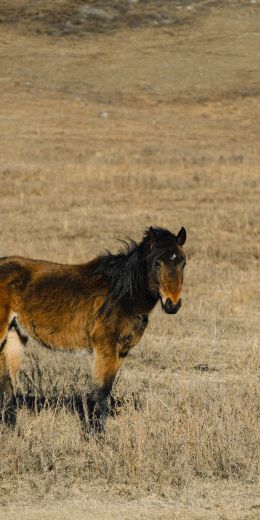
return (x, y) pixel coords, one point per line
(105, 366)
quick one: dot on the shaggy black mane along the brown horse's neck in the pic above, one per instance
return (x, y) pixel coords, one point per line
(131, 270)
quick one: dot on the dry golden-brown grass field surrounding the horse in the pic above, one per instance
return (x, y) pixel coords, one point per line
(138, 114)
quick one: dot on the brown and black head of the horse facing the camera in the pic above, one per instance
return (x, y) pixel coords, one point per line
(170, 260)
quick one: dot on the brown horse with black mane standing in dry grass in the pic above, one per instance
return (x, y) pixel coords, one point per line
(102, 306)
